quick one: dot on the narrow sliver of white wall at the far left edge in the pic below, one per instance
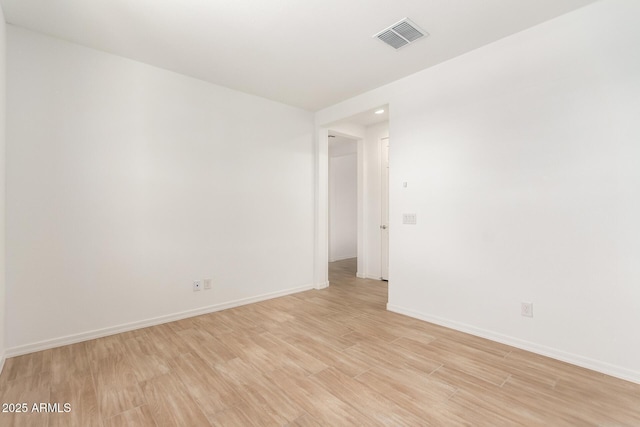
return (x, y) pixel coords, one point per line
(3, 46)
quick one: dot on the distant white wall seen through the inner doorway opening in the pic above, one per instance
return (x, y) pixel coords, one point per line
(343, 206)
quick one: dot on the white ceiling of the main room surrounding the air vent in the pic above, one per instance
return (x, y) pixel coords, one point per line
(309, 54)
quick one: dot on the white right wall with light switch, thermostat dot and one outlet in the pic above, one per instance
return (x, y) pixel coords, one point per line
(522, 164)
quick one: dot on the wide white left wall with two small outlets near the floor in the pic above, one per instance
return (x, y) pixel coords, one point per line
(126, 182)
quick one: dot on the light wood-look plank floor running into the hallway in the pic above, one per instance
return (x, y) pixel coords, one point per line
(331, 357)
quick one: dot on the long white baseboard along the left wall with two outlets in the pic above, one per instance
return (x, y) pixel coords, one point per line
(99, 333)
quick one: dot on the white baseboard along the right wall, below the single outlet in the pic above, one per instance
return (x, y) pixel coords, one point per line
(574, 359)
